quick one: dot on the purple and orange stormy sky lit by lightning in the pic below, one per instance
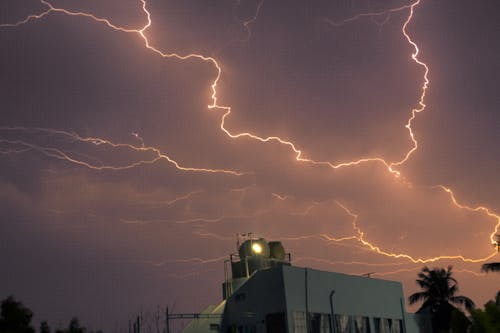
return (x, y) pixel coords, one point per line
(138, 138)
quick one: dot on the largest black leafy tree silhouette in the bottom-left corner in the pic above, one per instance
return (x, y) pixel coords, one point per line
(15, 317)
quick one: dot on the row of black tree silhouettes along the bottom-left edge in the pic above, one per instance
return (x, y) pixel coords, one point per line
(16, 318)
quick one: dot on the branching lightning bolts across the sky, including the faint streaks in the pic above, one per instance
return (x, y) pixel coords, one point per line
(156, 155)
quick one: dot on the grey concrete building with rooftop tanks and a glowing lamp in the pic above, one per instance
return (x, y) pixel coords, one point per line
(267, 294)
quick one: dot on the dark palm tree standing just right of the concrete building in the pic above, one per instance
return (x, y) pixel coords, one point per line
(438, 294)
